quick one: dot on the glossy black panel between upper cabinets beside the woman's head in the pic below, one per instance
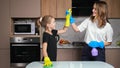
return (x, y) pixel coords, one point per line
(82, 7)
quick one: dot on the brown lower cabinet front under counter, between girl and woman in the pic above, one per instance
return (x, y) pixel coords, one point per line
(70, 54)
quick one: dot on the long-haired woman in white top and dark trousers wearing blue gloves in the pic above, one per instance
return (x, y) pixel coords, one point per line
(98, 33)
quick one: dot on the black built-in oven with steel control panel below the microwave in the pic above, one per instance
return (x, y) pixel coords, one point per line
(24, 50)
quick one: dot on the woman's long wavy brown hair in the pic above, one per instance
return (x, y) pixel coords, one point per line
(102, 11)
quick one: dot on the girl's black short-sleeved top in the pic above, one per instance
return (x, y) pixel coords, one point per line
(52, 44)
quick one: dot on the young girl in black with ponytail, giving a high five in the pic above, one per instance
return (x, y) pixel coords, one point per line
(49, 45)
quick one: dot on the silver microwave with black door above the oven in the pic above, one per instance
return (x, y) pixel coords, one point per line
(24, 28)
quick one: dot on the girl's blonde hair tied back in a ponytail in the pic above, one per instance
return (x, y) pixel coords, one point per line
(45, 20)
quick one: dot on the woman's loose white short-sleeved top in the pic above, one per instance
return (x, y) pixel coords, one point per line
(93, 33)
